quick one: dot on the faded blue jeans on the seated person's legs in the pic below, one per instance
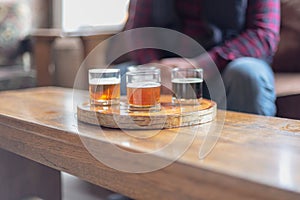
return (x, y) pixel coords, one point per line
(248, 82)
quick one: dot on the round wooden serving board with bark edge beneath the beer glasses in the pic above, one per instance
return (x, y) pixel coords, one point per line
(170, 115)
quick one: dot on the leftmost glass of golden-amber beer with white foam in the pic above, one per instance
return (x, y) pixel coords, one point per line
(104, 86)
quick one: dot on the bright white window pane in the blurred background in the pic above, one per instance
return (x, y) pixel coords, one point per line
(94, 14)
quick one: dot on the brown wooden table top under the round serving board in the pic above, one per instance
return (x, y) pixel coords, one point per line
(255, 157)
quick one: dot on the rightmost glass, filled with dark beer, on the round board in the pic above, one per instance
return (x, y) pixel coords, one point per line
(187, 85)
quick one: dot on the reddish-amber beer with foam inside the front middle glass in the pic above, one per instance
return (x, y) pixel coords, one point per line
(143, 94)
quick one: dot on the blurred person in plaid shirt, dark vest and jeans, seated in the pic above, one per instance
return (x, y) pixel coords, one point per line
(240, 37)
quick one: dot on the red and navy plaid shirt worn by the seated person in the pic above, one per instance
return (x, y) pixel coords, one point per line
(259, 39)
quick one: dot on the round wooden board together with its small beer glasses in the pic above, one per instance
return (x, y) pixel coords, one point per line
(144, 107)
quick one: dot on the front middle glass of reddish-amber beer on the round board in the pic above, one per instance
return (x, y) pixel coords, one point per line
(143, 89)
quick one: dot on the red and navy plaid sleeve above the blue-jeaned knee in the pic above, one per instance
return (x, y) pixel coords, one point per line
(260, 37)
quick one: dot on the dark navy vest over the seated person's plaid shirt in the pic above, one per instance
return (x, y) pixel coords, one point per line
(210, 22)
